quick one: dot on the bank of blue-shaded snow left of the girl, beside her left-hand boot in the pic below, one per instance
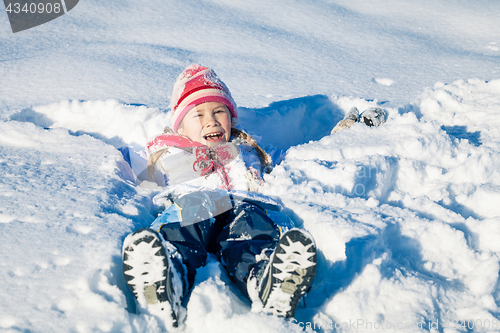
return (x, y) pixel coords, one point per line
(64, 210)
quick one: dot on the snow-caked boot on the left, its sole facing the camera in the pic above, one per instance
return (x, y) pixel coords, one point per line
(151, 276)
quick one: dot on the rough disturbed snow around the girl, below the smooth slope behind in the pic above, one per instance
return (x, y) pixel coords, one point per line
(405, 216)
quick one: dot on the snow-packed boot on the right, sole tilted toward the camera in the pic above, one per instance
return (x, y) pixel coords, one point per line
(277, 287)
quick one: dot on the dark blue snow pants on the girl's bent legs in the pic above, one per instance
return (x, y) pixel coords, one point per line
(236, 237)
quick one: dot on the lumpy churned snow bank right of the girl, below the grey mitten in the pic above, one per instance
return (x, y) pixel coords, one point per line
(405, 214)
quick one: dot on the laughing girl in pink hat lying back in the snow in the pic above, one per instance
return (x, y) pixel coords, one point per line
(208, 167)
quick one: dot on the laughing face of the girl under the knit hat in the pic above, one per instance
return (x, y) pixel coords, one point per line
(208, 123)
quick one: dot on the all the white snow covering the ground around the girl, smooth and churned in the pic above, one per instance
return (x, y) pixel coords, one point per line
(405, 215)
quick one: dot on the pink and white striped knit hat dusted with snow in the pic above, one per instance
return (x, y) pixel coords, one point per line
(197, 85)
